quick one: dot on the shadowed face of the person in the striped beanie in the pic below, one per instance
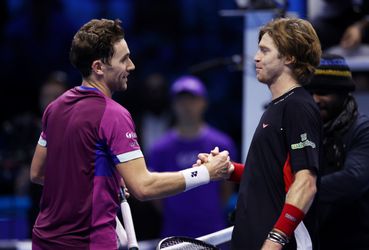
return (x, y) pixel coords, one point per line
(330, 104)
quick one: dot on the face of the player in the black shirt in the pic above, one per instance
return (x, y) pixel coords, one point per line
(269, 64)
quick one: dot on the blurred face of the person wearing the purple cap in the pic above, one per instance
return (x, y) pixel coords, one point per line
(189, 108)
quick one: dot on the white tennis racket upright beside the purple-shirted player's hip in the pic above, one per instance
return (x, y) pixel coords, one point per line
(128, 222)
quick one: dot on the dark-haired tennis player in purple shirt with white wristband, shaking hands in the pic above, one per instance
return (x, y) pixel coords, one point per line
(88, 143)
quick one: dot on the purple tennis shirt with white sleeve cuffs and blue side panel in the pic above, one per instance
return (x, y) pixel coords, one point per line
(86, 135)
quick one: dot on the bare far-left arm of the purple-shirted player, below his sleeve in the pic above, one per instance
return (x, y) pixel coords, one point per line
(37, 165)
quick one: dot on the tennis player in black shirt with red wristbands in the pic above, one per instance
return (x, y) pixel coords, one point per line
(275, 207)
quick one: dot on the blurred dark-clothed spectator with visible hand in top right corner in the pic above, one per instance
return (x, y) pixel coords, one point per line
(343, 23)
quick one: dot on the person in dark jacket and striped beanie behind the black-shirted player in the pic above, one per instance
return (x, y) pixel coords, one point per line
(344, 187)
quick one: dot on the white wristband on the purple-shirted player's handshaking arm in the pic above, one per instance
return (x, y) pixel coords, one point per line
(196, 176)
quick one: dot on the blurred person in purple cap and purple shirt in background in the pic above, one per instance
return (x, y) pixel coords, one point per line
(202, 211)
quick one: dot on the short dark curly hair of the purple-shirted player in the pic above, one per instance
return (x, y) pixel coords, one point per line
(95, 40)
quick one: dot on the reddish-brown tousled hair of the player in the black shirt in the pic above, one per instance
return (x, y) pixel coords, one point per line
(296, 38)
